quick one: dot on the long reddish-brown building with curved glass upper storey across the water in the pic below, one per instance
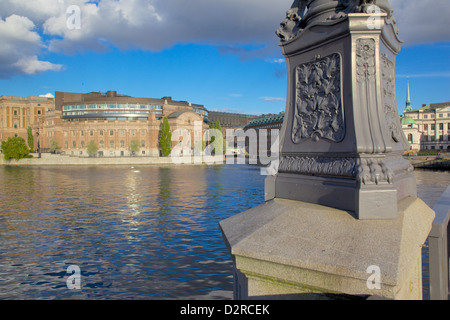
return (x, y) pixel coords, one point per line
(113, 122)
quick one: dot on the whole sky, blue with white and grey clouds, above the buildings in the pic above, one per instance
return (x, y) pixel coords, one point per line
(223, 54)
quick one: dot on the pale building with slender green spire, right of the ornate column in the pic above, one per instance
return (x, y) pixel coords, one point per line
(427, 128)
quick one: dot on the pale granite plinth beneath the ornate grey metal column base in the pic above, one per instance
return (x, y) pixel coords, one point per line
(287, 249)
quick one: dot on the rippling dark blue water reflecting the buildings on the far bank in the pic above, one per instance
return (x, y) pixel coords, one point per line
(136, 233)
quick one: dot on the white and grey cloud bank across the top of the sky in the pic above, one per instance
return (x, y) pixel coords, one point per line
(243, 28)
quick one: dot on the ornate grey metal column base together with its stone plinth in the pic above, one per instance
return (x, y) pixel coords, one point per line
(342, 215)
